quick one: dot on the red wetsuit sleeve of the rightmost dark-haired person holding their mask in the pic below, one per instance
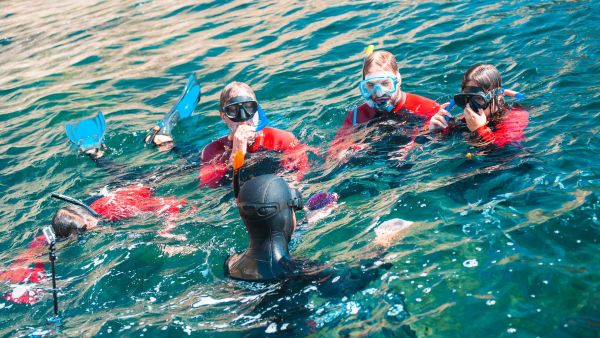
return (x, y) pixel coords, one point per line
(507, 131)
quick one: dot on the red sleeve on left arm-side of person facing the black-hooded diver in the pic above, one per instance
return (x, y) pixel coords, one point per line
(213, 164)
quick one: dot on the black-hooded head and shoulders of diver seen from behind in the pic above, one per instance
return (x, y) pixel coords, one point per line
(267, 206)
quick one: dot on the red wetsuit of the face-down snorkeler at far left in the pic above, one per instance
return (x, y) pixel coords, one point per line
(27, 270)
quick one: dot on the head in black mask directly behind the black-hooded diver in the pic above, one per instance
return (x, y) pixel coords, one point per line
(234, 94)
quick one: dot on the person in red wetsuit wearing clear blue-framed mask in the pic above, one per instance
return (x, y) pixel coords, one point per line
(380, 88)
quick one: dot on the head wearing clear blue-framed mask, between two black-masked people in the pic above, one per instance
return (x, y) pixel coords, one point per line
(381, 80)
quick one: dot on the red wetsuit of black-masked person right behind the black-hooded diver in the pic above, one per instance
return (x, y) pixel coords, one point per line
(215, 156)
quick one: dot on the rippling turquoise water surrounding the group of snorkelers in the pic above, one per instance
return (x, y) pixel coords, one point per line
(529, 219)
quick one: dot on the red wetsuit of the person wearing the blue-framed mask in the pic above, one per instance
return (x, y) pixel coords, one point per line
(411, 104)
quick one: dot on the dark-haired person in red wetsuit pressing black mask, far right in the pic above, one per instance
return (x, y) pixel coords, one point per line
(486, 114)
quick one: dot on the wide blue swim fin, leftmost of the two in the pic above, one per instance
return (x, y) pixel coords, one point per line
(87, 134)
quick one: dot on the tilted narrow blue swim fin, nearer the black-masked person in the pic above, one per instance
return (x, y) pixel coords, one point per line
(184, 107)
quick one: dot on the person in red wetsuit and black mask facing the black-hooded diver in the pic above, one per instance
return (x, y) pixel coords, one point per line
(239, 110)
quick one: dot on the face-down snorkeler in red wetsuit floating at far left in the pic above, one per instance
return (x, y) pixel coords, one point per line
(27, 271)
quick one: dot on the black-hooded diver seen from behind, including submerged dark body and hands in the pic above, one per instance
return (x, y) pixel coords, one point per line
(267, 206)
